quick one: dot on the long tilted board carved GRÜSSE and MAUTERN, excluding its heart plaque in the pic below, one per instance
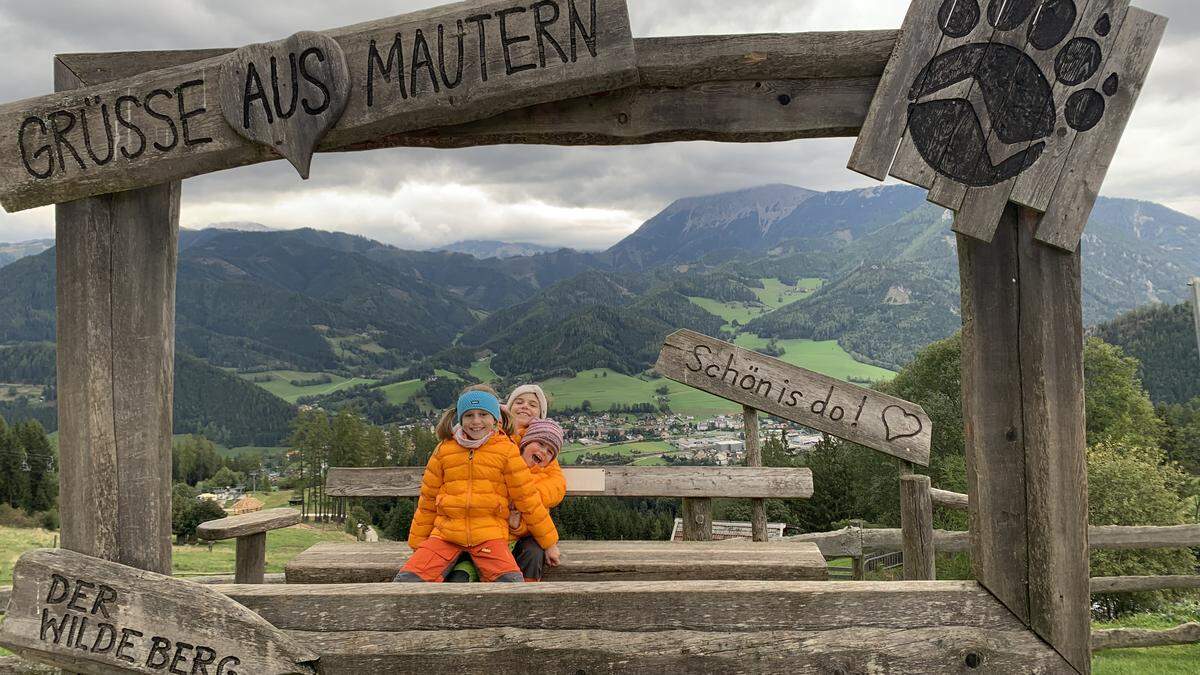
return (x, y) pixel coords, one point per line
(182, 130)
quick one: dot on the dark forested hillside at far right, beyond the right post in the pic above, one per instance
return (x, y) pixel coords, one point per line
(1163, 339)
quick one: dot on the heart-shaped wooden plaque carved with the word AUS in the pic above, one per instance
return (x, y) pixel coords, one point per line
(286, 94)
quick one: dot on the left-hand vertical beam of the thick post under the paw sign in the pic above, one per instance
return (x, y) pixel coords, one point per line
(992, 413)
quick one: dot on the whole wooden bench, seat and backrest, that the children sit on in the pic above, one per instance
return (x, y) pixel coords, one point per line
(597, 561)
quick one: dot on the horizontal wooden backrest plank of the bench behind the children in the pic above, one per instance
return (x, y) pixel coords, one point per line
(611, 481)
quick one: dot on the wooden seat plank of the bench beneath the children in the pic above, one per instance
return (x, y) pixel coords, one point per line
(332, 563)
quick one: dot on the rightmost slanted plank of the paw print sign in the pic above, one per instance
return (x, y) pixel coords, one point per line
(1088, 163)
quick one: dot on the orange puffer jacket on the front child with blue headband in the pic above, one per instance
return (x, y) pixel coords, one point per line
(466, 494)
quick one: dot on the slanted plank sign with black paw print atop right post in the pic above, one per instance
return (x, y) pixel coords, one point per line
(993, 101)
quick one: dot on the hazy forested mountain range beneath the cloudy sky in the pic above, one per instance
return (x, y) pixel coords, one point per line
(313, 301)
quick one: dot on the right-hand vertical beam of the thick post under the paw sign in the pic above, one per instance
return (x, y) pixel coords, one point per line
(1052, 355)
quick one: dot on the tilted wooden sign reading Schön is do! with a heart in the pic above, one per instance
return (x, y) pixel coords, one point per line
(863, 416)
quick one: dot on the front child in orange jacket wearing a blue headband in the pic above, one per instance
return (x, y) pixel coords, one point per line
(471, 480)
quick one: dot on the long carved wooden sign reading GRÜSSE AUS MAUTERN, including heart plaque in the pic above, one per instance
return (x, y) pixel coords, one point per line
(435, 68)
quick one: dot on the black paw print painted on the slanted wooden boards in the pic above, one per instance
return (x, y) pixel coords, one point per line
(1011, 88)
